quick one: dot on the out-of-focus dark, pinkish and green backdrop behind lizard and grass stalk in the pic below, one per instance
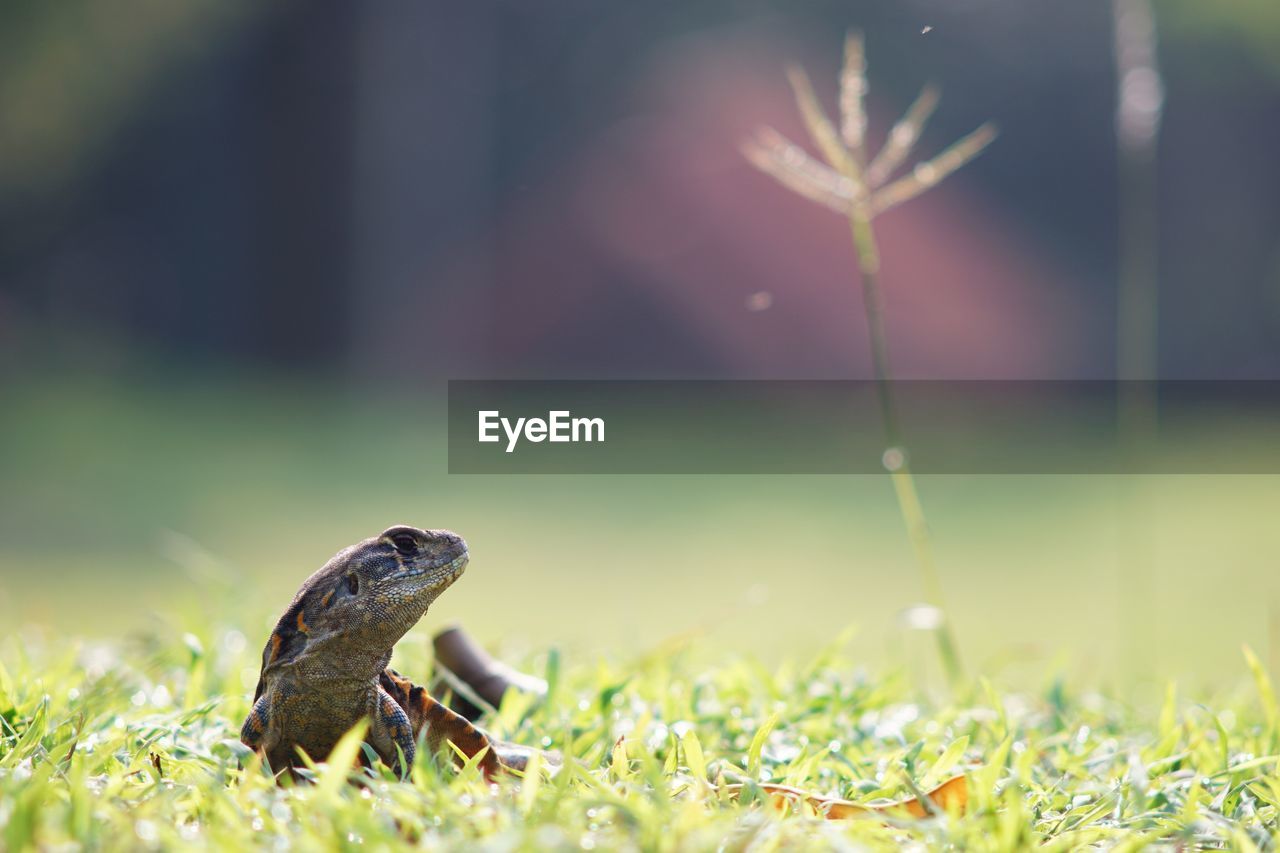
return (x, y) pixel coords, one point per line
(244, 245)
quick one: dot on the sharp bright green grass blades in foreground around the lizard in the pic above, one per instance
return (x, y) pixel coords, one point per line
(136, 746)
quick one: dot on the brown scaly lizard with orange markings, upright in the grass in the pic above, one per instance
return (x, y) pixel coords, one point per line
(326, 664)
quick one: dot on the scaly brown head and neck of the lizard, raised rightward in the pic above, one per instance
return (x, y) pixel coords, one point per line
(365, 599)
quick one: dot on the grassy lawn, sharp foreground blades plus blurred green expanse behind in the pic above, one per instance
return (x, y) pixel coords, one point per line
(150, 535)
